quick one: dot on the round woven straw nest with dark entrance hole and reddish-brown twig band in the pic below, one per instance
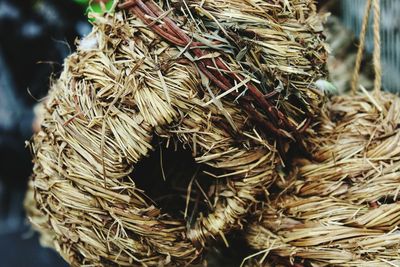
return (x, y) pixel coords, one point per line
(128, 90)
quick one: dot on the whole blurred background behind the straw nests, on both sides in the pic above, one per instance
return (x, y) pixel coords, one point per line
(35, 37)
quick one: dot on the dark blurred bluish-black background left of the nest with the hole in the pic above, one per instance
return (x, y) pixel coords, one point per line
(35, 37)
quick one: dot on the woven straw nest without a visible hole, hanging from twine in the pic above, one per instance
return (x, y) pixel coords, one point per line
(341, 208)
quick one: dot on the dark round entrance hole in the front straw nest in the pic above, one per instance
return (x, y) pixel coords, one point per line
(166, 176)
